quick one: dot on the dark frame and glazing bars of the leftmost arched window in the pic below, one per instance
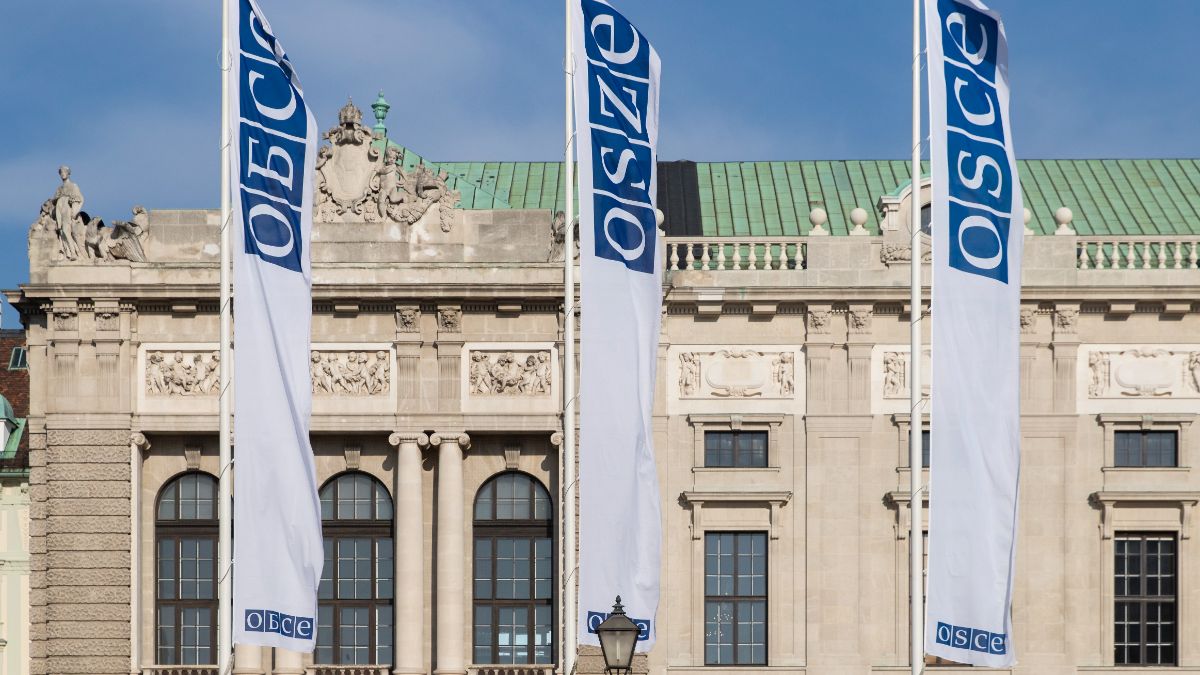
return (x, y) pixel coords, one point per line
(177, 530)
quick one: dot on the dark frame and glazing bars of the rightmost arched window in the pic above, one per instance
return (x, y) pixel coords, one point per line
(531, 530)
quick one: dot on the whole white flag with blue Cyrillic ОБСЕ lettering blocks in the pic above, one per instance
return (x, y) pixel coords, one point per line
(278, 545)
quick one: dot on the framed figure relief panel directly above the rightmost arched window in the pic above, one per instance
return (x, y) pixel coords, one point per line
(518, 378)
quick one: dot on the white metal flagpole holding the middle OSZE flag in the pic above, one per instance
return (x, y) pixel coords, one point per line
(571, 614)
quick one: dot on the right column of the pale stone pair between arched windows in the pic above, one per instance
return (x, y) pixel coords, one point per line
(452, 564)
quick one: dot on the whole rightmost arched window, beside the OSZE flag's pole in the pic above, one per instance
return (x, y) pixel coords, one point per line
(514, 617)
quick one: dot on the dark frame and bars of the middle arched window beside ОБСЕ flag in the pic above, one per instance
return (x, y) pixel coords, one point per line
(376, 530)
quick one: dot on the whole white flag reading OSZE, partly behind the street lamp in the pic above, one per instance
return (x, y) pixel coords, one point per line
(617, 132)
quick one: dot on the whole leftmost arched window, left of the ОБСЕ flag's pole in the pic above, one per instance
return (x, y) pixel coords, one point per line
(187, 571)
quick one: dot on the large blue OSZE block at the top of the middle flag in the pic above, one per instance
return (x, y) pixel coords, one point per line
(619, 64)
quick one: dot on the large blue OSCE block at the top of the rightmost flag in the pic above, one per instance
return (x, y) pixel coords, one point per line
(981, 178)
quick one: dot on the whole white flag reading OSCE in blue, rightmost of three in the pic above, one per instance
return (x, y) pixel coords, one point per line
(977, 220)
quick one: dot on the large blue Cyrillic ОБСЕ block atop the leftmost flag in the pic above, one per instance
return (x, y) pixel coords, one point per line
(272, 146)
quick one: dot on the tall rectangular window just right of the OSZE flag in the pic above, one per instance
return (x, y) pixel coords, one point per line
(736, 599)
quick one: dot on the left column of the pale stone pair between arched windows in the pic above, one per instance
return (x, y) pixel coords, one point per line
(409, 643)
